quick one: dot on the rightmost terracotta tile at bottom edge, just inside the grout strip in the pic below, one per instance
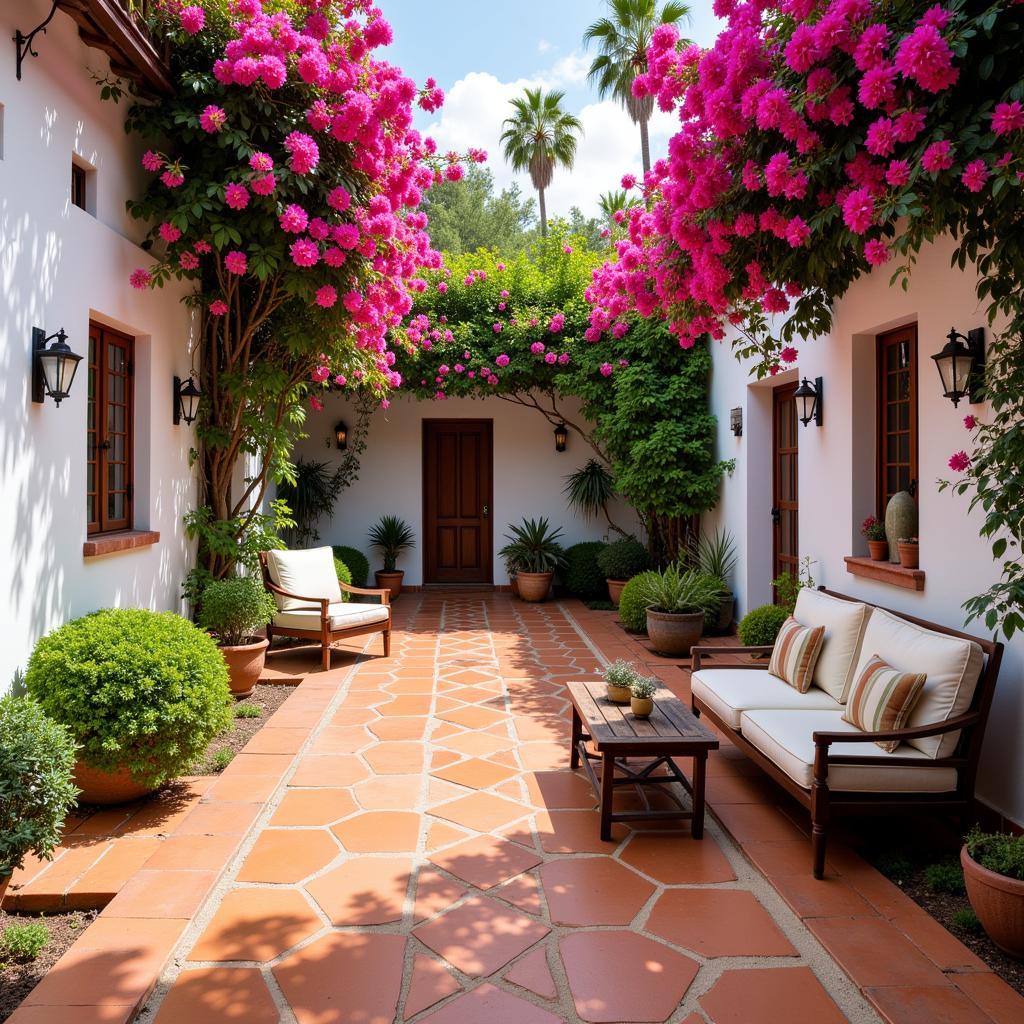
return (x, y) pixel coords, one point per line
(756, 997)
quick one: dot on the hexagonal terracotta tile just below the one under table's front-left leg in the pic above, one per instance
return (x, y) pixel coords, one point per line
(585, 891)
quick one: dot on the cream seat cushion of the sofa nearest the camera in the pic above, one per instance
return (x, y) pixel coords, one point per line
(785, 738)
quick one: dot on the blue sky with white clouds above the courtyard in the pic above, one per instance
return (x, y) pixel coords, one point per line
(483, 54)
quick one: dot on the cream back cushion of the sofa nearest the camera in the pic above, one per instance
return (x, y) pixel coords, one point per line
(953, 667)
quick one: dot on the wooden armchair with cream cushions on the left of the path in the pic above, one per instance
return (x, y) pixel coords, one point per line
(310, 602)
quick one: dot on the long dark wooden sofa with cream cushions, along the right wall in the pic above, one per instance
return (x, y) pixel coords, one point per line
(832, 767)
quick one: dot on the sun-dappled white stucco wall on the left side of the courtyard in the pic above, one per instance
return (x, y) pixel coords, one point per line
(61, 267)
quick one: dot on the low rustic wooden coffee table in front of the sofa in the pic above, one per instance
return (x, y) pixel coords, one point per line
(672, 732)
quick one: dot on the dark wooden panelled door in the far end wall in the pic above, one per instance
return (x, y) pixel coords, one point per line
(457, 499)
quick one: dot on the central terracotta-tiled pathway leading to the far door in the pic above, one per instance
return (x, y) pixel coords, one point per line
(431, 858)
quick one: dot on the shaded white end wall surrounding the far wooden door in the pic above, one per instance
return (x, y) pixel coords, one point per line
(529, 474)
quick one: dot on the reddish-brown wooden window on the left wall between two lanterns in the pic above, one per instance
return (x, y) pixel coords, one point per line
(97, 419)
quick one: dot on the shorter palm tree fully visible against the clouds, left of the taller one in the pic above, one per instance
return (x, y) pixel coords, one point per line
(539, 138)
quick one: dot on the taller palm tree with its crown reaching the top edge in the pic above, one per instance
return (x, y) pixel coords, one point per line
(624, 38)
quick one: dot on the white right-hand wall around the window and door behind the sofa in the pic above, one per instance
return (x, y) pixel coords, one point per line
(837, 480)
